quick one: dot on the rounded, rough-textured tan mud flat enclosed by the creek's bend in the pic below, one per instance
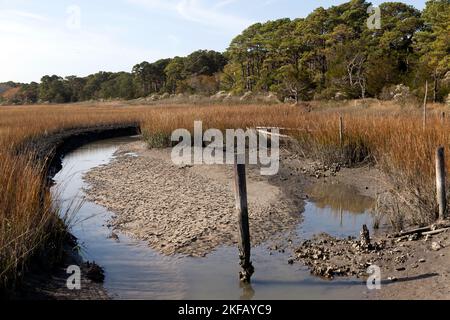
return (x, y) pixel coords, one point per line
(185, 210)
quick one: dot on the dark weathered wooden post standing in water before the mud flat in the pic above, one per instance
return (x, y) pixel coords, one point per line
(244, 230)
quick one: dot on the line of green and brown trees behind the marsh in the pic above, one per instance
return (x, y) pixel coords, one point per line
(332, 53)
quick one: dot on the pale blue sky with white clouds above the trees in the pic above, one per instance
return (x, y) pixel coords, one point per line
(81, 37)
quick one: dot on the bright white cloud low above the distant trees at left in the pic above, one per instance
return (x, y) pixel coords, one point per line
(32, 48)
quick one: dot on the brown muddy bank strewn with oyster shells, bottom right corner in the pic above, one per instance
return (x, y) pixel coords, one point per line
(413, 266)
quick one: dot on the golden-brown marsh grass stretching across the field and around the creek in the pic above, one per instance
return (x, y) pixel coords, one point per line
(382, 134)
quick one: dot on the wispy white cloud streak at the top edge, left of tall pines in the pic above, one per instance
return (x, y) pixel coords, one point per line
(196, 11)
